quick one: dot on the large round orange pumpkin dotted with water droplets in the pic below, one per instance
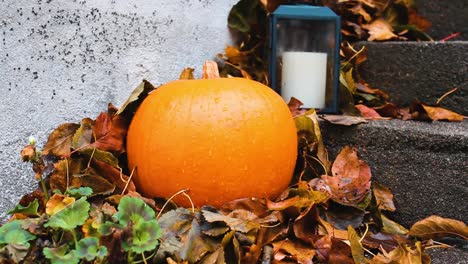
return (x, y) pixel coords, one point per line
(222, 139)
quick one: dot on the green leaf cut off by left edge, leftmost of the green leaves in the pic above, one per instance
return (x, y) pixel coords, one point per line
(13, 233)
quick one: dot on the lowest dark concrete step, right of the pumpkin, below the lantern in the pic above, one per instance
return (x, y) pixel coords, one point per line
(424, 164)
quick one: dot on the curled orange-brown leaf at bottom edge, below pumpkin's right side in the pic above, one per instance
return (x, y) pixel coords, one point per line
(294, 251)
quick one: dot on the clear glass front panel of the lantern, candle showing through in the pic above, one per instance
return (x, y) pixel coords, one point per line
(305, 59)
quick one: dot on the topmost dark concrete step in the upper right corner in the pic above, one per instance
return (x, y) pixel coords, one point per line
(447, 17)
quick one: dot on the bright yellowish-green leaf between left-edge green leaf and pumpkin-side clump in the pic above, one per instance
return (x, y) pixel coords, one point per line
(72, 216)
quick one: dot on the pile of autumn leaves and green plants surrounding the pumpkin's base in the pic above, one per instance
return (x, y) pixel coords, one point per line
(87, 210)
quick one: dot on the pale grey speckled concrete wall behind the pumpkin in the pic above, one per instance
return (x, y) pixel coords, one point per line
(61, 61)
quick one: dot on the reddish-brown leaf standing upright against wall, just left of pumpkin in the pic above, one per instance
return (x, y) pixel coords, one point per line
(110, 131)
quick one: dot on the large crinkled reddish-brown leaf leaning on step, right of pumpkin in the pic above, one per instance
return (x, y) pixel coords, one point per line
(350, 182)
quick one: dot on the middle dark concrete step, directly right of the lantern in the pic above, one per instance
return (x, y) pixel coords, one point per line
(422, 71)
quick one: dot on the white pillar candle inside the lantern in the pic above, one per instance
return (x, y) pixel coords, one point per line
(304, 76)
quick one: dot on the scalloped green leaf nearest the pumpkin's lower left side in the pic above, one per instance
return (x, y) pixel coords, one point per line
(132, 209)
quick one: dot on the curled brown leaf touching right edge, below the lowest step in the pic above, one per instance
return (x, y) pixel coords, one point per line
(435, 227)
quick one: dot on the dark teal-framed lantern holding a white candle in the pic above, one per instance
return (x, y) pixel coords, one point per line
(304, 55)
